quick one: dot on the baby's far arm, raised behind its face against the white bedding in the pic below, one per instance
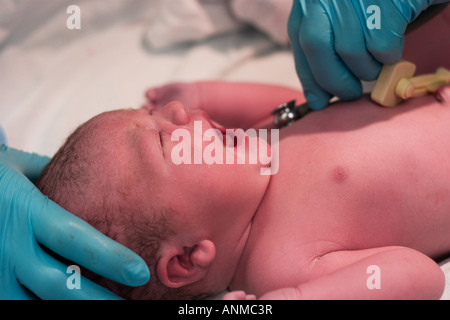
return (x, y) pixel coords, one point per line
(234, 105)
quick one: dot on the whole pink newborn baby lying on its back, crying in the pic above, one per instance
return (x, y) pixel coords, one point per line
(361, 191)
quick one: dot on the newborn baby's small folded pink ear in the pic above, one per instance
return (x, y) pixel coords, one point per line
(180, 265)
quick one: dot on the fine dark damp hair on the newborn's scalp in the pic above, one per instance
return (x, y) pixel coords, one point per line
(76, 181)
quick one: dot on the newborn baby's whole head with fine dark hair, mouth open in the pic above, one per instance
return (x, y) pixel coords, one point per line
(189, 222)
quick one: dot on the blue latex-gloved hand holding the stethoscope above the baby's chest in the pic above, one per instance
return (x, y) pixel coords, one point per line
(334, 49)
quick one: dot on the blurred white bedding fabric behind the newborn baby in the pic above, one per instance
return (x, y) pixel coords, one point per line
(52, 79)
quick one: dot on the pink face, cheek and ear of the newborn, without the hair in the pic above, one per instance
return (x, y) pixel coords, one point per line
(140, 140)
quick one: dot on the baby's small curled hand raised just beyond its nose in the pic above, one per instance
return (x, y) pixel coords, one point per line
(186, 93)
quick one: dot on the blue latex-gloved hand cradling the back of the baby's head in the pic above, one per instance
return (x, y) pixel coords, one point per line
(28, 220)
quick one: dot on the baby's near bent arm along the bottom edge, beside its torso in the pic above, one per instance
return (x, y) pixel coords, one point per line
(382, 273)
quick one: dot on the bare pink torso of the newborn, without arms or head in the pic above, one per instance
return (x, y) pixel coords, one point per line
(345, 184)
